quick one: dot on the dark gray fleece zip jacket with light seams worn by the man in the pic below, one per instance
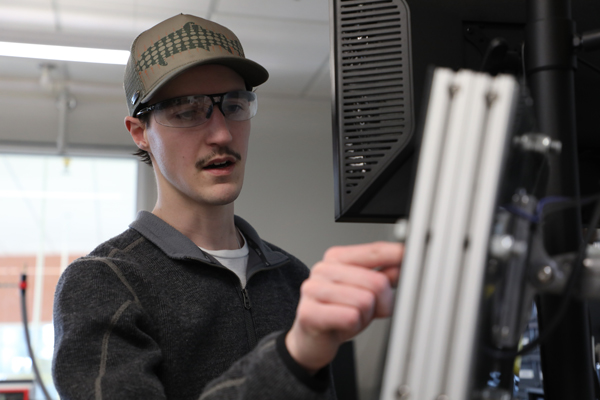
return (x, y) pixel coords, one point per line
(148, 315)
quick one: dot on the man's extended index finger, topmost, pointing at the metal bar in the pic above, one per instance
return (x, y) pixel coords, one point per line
(370, 255)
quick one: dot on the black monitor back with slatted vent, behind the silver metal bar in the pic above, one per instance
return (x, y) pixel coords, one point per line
(381, 52)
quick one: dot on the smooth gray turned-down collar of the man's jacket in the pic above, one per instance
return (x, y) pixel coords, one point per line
(178, 246)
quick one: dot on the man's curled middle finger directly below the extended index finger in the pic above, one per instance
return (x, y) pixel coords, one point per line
(375, 282)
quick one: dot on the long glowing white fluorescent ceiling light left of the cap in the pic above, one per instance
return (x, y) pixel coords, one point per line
(64, 53)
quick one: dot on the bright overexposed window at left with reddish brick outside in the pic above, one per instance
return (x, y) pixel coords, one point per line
(52, 210)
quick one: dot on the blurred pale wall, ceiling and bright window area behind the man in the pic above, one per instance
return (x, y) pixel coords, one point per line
(68, 180)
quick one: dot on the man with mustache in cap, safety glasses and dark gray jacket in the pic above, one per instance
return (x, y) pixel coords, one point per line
(189, 302)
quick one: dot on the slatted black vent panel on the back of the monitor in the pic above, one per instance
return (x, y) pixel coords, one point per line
(372, 89)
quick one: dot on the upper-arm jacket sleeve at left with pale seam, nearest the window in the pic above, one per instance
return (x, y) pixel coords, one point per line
(103, 344)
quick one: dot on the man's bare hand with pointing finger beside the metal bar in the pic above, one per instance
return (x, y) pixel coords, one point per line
(350, 287)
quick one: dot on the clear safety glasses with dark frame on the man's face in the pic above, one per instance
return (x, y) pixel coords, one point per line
(189, 111)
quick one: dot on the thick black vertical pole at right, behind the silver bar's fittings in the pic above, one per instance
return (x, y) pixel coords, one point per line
(550, 60)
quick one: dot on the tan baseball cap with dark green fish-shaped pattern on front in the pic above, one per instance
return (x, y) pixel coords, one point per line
(177, 44)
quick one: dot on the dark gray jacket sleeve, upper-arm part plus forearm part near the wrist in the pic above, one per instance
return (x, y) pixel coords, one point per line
(105, 348)
